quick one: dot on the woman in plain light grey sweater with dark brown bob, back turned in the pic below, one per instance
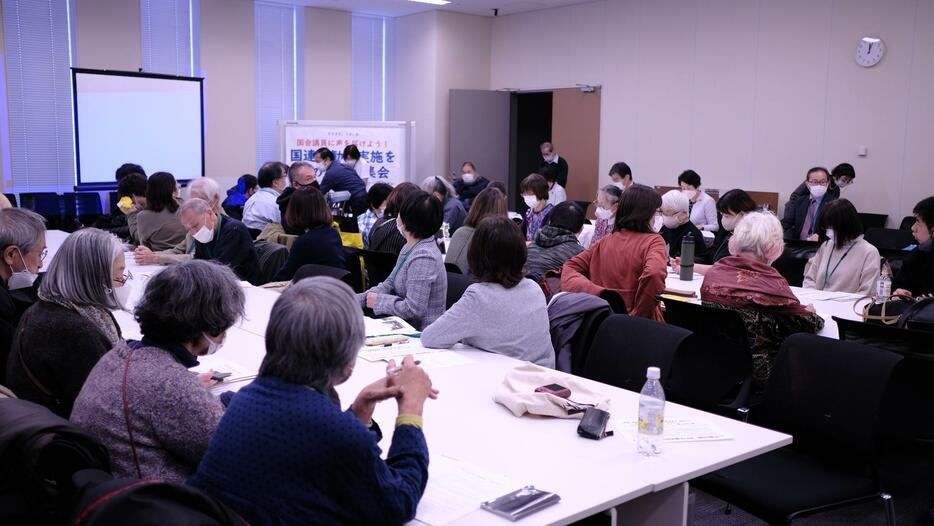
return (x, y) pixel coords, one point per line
(490, 313)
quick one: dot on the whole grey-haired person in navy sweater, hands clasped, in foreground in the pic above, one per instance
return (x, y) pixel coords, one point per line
(285, 453)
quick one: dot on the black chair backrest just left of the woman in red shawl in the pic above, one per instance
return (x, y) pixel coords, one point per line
(715, 372)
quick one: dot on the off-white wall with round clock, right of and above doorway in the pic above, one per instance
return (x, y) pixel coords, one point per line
(749, 93)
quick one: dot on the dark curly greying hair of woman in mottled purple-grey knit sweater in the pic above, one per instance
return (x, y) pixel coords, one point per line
(185, 300)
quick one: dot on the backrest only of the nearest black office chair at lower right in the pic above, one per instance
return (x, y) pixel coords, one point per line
(827, 394)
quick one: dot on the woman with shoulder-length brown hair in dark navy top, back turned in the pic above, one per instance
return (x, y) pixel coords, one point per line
(320, 244)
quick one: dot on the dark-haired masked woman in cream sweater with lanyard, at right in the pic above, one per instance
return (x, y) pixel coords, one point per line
(845, 262)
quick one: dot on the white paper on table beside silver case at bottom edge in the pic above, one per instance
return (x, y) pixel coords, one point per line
(457, 488)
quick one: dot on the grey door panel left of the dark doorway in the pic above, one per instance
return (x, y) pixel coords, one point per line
(480, 132)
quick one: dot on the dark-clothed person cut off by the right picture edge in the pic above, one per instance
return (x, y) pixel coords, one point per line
(916, 276)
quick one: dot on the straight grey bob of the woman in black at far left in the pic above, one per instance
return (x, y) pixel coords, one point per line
(82, 270)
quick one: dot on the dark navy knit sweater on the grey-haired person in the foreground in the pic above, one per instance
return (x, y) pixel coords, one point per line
(284, 454)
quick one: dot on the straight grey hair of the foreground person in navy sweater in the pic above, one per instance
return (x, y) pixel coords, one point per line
(315, 331)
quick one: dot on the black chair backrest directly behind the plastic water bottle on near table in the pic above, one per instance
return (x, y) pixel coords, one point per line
(625, 346)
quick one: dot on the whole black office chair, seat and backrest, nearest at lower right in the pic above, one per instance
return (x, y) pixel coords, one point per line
(828, 395)
